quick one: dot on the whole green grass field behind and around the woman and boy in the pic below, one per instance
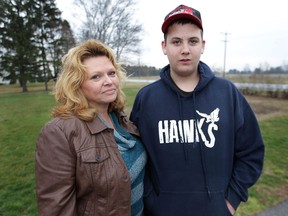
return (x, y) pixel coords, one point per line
(23, 114)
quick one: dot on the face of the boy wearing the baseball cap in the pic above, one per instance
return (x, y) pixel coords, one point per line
(183, 46)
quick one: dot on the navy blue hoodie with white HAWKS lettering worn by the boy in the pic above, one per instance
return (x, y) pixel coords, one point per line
(203, 147)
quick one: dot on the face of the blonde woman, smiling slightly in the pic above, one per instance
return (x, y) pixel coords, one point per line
(101, 84)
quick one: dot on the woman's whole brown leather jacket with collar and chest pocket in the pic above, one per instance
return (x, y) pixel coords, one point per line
(79, 170)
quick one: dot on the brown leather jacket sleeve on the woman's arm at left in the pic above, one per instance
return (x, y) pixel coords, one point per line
(55, 173)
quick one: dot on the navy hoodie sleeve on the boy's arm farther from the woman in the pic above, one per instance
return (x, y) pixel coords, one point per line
(248, 155)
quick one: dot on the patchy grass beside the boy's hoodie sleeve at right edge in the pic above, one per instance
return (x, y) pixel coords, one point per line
(272, 186)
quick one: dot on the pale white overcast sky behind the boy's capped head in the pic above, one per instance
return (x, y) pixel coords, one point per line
(257, 31)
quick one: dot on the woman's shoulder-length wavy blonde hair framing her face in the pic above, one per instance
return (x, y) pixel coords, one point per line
(68, 92)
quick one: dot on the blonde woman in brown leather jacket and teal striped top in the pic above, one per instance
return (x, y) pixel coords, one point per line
(89, 160)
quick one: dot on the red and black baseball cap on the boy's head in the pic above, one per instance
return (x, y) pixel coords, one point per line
(182, 12)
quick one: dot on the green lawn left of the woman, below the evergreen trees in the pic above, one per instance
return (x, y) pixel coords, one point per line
(21, 117)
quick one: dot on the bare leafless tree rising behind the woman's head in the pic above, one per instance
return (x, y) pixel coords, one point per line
(111, 21)
